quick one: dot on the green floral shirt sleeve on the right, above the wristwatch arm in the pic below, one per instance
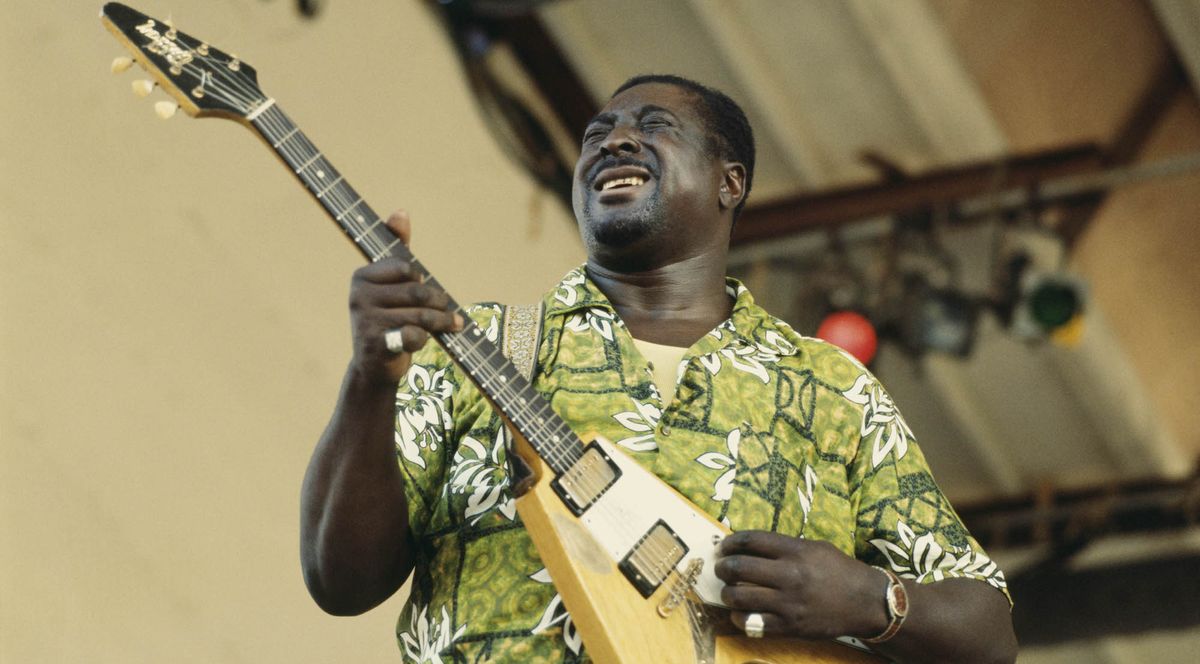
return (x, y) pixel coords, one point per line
(903, 521)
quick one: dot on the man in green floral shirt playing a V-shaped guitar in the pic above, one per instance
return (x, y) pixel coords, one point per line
(787, 439)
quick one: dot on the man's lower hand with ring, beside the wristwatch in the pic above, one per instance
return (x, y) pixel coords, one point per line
(801, 588)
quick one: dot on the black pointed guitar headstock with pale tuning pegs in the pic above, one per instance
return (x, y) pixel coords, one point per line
(203, 80)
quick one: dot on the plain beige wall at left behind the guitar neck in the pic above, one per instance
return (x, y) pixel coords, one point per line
(173, 327)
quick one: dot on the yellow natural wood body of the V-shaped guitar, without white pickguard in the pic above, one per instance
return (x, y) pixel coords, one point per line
(620, 626)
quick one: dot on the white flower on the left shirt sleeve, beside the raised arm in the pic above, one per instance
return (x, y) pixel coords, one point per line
(422, 415)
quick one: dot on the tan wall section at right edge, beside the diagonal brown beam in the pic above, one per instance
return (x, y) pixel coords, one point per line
(1143, 264)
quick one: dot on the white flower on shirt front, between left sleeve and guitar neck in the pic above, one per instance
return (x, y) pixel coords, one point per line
(479, 472)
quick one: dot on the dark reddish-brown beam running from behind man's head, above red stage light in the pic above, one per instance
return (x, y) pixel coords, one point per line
(921, 193)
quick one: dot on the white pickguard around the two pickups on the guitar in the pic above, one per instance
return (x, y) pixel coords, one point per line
(638, 501)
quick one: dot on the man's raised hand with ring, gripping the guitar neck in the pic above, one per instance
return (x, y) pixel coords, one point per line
(389, 296)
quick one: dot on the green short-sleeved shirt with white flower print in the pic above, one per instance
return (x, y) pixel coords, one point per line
(769, 430)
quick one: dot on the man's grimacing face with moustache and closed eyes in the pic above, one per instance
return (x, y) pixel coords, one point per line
(646, 181)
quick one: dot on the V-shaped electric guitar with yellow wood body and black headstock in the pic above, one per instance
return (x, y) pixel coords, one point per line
(638, 585)
